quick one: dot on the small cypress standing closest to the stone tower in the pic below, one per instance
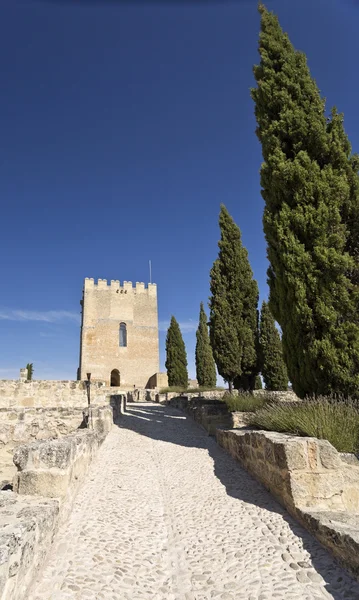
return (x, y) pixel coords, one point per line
(176, 357)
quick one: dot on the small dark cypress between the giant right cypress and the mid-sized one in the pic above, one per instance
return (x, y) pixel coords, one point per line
(273, 367)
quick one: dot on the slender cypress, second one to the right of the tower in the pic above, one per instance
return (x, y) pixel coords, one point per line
(205, 365)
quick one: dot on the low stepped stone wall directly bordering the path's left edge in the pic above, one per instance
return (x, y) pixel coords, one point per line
(49, 474)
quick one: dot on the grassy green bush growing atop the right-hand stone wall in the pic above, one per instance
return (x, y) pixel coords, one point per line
(329, 418)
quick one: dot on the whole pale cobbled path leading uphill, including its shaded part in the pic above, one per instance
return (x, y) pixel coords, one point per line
(165, 514)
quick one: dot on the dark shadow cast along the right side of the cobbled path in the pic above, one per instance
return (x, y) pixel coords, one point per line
(170, 425)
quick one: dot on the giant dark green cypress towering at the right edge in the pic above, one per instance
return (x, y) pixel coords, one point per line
(310, 187)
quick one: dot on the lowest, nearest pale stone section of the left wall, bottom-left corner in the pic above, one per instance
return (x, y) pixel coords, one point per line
(27, 528)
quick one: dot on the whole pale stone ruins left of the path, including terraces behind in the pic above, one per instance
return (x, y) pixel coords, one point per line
(49, 435)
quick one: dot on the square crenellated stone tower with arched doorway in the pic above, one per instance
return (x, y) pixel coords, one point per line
(119, 333)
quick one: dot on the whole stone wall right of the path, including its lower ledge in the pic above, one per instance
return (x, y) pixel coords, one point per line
(309, 477)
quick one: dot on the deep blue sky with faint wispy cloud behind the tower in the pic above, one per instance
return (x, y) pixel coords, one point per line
(124, 125)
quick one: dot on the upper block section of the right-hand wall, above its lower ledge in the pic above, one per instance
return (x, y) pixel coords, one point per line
(301, 472)
